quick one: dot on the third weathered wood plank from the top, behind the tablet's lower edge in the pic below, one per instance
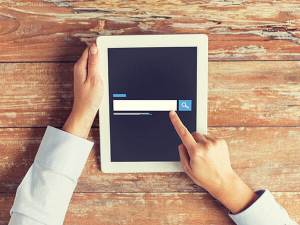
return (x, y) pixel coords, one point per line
(264, 157)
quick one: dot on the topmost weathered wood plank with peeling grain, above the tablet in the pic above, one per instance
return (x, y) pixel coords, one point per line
(238, 30)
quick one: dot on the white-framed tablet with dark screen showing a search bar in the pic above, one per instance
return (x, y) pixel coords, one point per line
(145, 77)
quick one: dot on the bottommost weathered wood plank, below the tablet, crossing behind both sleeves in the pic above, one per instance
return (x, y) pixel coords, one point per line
(146, 209)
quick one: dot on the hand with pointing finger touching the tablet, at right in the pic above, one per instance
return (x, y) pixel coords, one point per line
(206, 161)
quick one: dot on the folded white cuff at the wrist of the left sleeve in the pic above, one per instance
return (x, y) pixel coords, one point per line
(63, 153)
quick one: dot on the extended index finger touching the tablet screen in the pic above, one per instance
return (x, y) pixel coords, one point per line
(185, 136)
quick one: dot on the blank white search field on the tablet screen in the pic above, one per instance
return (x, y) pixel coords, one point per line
(145, 105)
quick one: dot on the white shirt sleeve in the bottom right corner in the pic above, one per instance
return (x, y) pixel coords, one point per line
(264, 211)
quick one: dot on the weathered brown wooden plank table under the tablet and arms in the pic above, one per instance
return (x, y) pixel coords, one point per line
(254, 100)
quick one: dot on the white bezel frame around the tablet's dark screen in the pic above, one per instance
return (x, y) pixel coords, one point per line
(142, 41)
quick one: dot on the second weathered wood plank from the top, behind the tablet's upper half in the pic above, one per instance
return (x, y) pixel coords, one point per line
(240, 93)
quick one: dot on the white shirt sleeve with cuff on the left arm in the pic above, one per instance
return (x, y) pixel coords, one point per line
(44, 194)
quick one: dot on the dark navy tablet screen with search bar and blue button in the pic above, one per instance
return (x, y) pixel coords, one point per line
(144, 85)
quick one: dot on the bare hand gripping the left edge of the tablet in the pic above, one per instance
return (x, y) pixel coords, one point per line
(88, 93)
